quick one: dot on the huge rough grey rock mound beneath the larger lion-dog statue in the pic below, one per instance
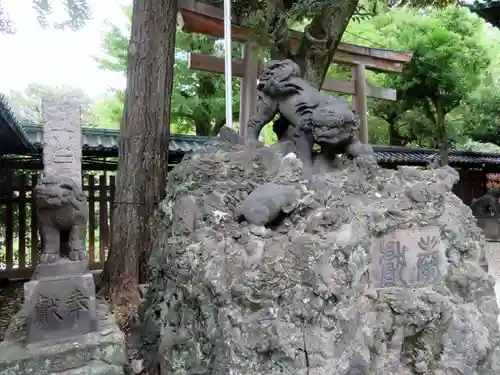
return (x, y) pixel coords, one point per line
(263, 272)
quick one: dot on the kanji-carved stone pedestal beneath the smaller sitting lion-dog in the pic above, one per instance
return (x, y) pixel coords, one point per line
(60, 302)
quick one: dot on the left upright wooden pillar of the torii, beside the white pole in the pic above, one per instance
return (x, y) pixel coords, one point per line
(248, 87)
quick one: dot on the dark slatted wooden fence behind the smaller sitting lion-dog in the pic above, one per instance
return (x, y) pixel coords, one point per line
(19, 237)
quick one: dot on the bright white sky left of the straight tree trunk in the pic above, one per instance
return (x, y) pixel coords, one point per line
(50, 57)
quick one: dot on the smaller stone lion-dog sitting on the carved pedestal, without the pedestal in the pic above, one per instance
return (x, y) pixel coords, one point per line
(62, 219)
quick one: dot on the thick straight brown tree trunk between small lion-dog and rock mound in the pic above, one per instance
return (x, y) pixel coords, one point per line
(142, 167)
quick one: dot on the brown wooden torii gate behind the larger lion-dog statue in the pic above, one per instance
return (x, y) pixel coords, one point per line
(198, 17)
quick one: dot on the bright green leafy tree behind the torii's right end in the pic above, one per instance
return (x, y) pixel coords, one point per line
(449, 62)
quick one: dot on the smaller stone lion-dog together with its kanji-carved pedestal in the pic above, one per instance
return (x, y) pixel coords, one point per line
(60, 298)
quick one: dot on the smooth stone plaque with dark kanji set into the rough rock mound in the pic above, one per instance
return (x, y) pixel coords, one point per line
(407, 258)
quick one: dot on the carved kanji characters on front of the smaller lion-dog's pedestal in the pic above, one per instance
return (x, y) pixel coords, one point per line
(54, 310)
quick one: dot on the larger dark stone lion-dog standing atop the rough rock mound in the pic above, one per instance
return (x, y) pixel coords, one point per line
(308, 116)
